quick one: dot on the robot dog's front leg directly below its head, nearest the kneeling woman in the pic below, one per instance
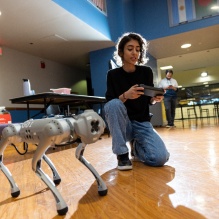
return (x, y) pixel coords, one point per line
(102, 189)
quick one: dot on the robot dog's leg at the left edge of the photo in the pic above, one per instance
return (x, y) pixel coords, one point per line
(15, 191)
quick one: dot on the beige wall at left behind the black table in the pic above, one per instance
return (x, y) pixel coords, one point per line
(15, 65)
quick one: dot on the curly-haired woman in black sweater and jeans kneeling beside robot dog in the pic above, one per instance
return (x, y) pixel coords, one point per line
(127, 108)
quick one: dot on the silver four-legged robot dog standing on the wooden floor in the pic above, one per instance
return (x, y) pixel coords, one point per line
(86, 127)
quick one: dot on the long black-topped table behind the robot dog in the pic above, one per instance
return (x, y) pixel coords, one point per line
(49, 98)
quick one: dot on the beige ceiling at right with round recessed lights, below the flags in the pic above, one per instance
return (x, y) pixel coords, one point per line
(188, 64)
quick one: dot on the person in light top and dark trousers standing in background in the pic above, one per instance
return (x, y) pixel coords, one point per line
(170, 85)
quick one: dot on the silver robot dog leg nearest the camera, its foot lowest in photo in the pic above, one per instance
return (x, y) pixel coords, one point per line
(61, 206)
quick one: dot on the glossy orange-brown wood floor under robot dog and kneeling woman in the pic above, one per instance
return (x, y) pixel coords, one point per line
(186, 187)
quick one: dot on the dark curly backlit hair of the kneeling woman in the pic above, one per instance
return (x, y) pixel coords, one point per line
(121, 42)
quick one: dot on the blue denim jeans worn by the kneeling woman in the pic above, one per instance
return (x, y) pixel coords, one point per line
(149, 147)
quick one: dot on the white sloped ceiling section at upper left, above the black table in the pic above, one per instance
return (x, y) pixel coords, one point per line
(44, 29)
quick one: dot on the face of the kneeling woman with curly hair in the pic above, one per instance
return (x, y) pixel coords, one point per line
(131, 52)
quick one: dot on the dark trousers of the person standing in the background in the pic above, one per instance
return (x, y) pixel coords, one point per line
(170, 107)
